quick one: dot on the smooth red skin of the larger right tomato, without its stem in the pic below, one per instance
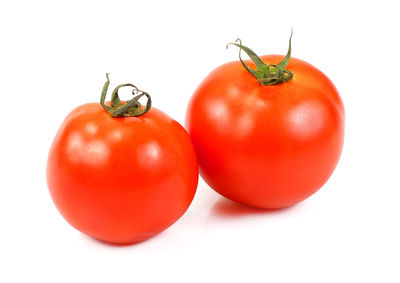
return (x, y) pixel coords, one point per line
(266, 146)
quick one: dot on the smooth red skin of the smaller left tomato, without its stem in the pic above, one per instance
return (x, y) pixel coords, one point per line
(121, 180)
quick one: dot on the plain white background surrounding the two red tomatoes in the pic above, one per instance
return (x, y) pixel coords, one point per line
(54, 56)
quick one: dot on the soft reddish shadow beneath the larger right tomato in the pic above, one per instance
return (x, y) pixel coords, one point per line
(230, 209)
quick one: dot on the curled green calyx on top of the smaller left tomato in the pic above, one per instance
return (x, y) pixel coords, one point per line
(131, 108)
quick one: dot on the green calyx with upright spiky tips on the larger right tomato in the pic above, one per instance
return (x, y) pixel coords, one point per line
(266, 74)
